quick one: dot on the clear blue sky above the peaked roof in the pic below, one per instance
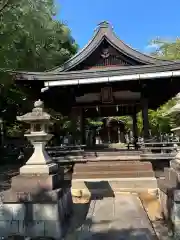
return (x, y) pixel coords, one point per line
(136, 22)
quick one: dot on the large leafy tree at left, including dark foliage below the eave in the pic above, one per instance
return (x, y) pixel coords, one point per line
(31, 40)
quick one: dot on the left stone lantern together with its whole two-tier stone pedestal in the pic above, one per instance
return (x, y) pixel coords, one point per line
(38, 203)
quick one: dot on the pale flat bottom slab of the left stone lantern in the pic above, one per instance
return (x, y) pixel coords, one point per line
(39, 168)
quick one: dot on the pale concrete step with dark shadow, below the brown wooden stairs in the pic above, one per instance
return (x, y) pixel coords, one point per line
(113, 186)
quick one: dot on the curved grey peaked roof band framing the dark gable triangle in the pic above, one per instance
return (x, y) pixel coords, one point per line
(105, 31)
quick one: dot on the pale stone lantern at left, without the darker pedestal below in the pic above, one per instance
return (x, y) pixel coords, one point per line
(39, 121)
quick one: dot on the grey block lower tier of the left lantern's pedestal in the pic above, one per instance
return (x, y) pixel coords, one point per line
(36, 219)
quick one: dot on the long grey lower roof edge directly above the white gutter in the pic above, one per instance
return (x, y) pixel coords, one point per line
(118, 71)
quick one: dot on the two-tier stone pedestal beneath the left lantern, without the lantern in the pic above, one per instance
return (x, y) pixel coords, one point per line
(35, 210)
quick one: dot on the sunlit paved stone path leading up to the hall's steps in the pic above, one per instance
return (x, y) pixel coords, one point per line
(119, 218)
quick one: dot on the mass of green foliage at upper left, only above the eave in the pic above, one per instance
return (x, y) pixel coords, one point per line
(31, 39)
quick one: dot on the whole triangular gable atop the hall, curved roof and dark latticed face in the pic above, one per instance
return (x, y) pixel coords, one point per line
(106, 50)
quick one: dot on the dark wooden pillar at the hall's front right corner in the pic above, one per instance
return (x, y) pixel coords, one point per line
(145, 118)
